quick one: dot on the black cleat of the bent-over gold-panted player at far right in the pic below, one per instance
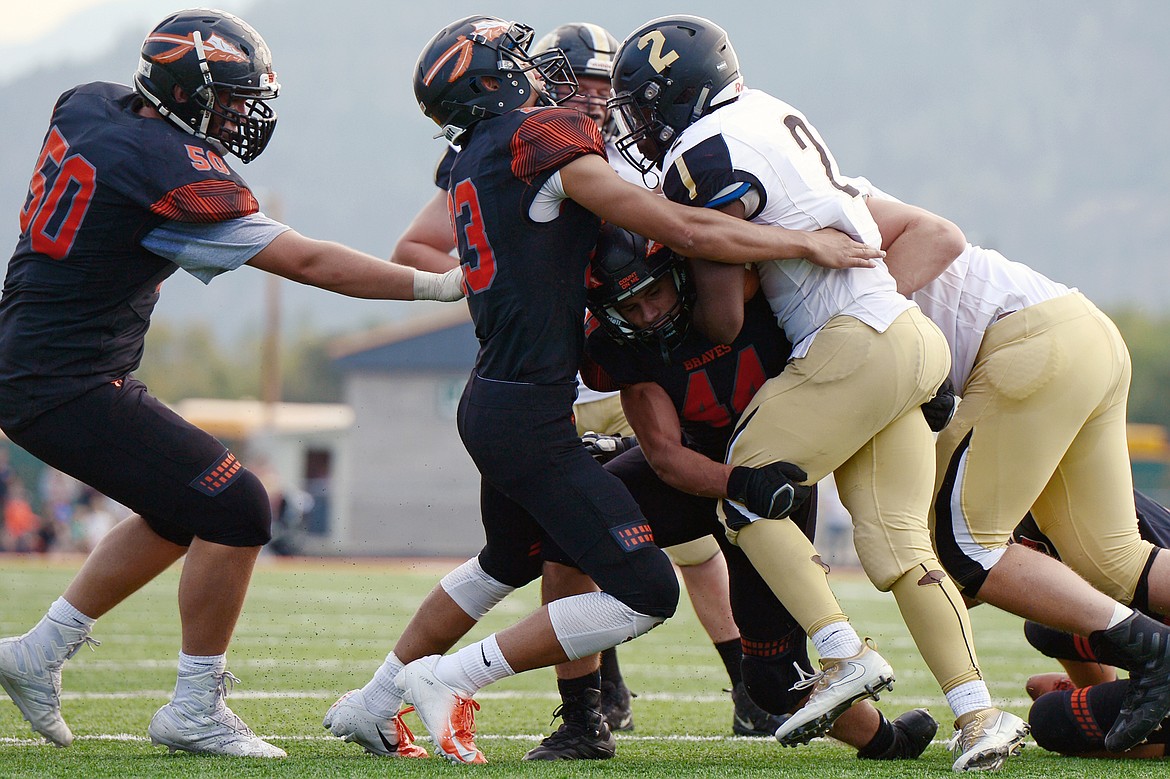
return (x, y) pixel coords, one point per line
(1146, 646)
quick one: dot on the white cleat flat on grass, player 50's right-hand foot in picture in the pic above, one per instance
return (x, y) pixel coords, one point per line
(209, 727)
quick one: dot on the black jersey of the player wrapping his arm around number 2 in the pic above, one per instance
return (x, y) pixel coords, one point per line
(526, 277)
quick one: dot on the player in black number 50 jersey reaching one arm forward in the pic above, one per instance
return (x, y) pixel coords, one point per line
(132, 185)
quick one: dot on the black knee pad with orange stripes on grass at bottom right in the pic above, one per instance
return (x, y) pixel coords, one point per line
(1075, 722)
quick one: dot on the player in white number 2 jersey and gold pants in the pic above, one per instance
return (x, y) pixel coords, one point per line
(865, 359)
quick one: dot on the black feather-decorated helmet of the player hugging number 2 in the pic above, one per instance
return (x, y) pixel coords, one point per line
(450, 78)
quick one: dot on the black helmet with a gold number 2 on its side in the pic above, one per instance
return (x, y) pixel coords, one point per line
(669, 74)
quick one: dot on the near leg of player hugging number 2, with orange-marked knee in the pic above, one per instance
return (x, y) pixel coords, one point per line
(588, 514)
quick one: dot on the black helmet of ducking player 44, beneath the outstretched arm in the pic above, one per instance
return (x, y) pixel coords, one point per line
(624, 265)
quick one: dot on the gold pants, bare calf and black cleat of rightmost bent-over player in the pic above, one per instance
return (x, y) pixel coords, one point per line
(1051, 438)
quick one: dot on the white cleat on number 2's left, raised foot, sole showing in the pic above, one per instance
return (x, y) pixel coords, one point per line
(839, 685)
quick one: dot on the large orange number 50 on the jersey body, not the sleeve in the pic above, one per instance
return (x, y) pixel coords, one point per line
(59, 197)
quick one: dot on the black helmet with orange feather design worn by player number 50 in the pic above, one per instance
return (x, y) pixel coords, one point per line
(217, 60)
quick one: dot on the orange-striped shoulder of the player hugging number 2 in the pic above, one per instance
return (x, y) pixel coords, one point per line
(549, 139)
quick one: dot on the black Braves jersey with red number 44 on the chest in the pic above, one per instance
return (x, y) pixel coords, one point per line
(710, 384)
